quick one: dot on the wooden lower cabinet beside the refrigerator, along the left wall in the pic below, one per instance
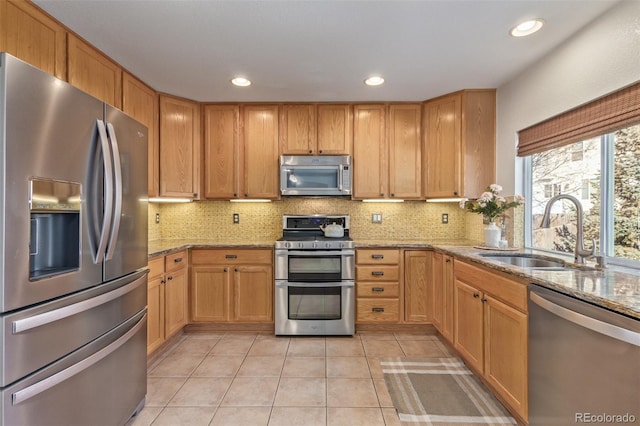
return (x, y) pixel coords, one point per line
(166, 298)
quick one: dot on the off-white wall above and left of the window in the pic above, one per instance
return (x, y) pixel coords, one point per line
(599, 59)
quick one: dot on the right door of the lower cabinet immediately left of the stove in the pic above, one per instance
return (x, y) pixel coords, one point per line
(253, 293)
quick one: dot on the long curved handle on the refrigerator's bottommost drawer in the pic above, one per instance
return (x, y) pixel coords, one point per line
(43, 385)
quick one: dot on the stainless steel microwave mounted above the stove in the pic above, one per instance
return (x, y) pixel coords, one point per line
(308, 175)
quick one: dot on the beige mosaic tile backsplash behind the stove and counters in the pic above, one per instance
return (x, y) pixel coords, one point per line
(411, 220)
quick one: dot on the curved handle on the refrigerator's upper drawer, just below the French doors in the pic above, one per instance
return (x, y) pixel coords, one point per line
(45, 318)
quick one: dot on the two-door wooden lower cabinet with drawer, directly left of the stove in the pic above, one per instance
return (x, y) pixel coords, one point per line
(229, 285)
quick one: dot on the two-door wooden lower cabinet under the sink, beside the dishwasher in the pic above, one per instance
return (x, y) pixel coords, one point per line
(490, 317)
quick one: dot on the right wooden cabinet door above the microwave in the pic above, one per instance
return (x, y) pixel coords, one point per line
(334, 129)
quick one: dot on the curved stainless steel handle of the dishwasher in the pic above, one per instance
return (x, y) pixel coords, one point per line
(593, 324)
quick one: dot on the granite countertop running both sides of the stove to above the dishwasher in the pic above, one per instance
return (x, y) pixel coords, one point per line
(613, 288)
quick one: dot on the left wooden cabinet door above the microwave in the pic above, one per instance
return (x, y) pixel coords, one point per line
(298, 130)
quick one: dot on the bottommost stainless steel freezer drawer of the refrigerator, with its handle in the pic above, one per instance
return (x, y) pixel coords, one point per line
(102, 383)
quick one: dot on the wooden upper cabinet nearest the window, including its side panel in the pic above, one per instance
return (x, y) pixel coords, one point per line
(459, 144)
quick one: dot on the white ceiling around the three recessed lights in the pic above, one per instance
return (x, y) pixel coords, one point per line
(321, 50)
